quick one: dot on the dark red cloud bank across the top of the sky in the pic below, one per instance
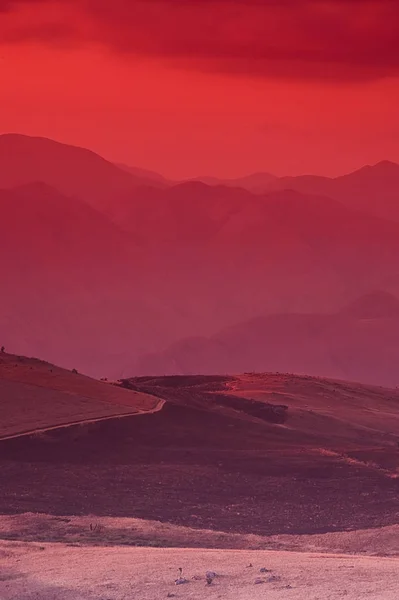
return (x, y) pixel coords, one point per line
(339, 39)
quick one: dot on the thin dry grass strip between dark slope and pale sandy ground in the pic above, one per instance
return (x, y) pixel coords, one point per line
(92, 530)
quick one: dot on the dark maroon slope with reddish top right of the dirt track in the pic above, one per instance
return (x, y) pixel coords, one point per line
(260, 454)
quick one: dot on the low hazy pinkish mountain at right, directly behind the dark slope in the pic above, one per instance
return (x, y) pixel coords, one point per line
(361, 342)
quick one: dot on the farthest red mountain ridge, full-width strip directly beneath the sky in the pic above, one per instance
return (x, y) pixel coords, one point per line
(80, 172)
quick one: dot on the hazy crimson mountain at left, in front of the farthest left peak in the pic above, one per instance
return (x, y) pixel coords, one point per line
(72, 284)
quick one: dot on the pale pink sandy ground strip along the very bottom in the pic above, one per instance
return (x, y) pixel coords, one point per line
(62, 572)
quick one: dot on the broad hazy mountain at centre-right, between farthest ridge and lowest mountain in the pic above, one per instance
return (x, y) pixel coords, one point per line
(231, 255)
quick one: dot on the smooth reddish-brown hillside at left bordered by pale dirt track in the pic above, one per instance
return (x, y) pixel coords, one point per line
(36, 396)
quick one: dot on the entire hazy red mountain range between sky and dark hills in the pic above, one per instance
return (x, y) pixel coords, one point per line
(114, 270)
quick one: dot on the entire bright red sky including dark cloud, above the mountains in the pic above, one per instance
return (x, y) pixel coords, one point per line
(200, 87)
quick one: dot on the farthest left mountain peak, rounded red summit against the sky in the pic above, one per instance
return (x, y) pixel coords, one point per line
(73, 171)
